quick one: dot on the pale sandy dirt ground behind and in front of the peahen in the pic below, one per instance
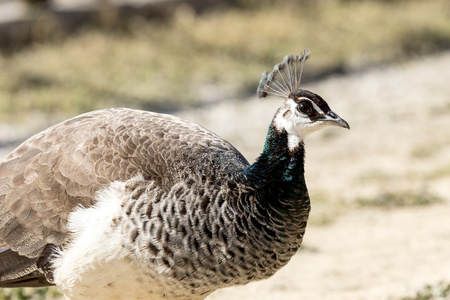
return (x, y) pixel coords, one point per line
(398, 143)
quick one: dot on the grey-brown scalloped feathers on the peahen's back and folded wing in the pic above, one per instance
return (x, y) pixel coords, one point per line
(61, 168)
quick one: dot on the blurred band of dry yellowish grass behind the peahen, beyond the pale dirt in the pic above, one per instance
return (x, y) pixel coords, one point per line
(191, 59)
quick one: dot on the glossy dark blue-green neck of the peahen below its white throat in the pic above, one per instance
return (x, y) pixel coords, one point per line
(277, 177)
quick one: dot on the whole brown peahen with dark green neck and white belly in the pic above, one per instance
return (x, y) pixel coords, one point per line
(128, 204)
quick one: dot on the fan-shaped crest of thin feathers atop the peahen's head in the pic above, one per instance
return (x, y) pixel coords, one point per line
(285, 77)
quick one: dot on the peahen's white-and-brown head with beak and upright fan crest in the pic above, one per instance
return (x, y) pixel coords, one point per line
(302, 111)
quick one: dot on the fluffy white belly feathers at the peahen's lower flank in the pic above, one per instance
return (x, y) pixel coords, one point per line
(96, 265)
